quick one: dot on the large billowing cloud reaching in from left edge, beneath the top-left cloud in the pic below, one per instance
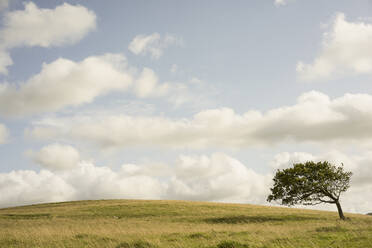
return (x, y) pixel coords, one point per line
(66, 83)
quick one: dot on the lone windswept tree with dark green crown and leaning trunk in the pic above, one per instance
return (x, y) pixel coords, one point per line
(310, 183)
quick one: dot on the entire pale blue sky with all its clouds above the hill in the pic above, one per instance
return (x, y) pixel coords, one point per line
(190, 100)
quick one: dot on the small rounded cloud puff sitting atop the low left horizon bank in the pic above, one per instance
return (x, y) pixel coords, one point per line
(56, 157)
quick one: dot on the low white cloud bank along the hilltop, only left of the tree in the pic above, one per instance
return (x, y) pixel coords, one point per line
(216, 178)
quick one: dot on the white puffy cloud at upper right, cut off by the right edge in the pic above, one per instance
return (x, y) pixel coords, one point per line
(346, 50)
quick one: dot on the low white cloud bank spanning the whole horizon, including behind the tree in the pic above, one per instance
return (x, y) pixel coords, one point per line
(217, 177)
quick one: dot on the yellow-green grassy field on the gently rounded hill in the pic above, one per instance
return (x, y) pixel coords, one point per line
(139, 224)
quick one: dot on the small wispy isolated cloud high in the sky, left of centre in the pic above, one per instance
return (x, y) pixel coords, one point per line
(153, 44)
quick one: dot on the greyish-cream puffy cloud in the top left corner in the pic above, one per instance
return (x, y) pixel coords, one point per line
(33, 26)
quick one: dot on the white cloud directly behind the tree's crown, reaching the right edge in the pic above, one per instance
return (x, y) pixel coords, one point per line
(354, 199)
